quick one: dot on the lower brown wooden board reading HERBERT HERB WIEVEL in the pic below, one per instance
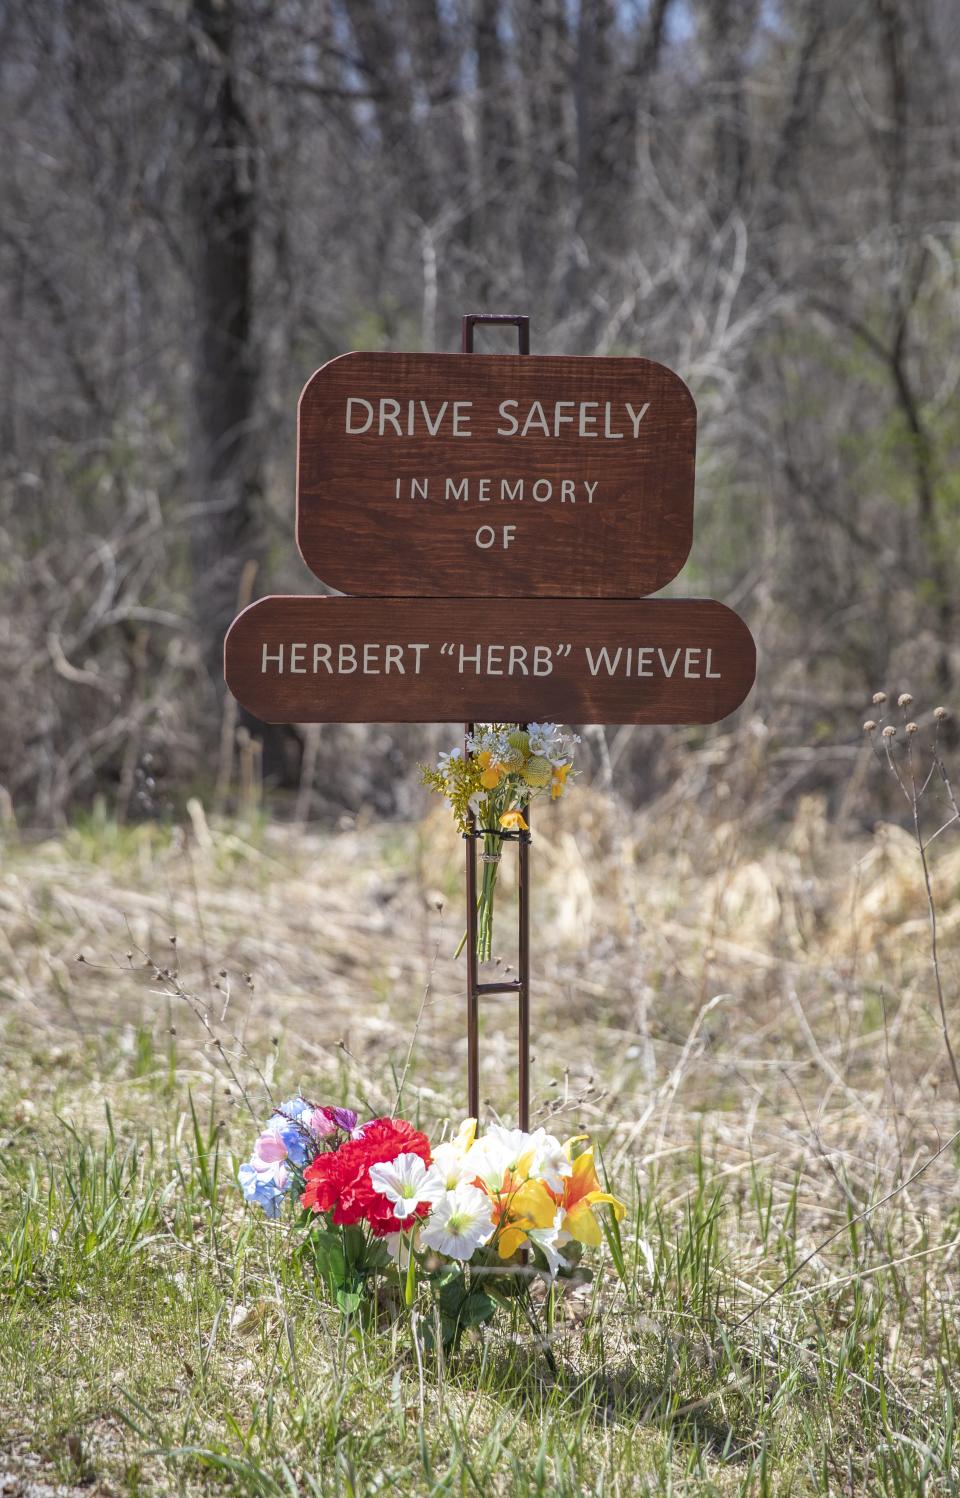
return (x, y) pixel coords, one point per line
(353, 660)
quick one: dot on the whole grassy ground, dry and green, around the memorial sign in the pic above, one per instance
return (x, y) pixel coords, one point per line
(157, 1335)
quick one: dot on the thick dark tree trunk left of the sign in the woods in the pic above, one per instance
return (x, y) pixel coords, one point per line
(219, 204)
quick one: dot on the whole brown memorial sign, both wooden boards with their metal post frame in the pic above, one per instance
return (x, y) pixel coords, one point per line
(435, 486)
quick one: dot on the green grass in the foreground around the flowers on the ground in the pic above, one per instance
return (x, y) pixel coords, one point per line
(157, 1335)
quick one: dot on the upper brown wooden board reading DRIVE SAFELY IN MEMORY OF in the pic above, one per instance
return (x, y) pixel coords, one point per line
(495, 476)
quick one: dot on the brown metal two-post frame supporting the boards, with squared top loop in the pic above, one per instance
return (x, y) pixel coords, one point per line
(522, 985)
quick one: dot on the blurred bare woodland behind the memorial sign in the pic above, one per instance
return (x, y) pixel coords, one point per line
(206, 200)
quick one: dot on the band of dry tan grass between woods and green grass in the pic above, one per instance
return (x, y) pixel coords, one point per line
(691, 971)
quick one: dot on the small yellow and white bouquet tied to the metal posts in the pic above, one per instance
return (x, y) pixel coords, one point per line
(492, 786)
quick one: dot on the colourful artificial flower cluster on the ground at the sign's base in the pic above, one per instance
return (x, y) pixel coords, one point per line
(474, 1219)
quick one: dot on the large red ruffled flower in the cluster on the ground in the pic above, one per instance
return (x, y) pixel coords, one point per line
(341, 1178)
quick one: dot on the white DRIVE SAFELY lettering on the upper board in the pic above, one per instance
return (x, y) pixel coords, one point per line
(386, 417)
